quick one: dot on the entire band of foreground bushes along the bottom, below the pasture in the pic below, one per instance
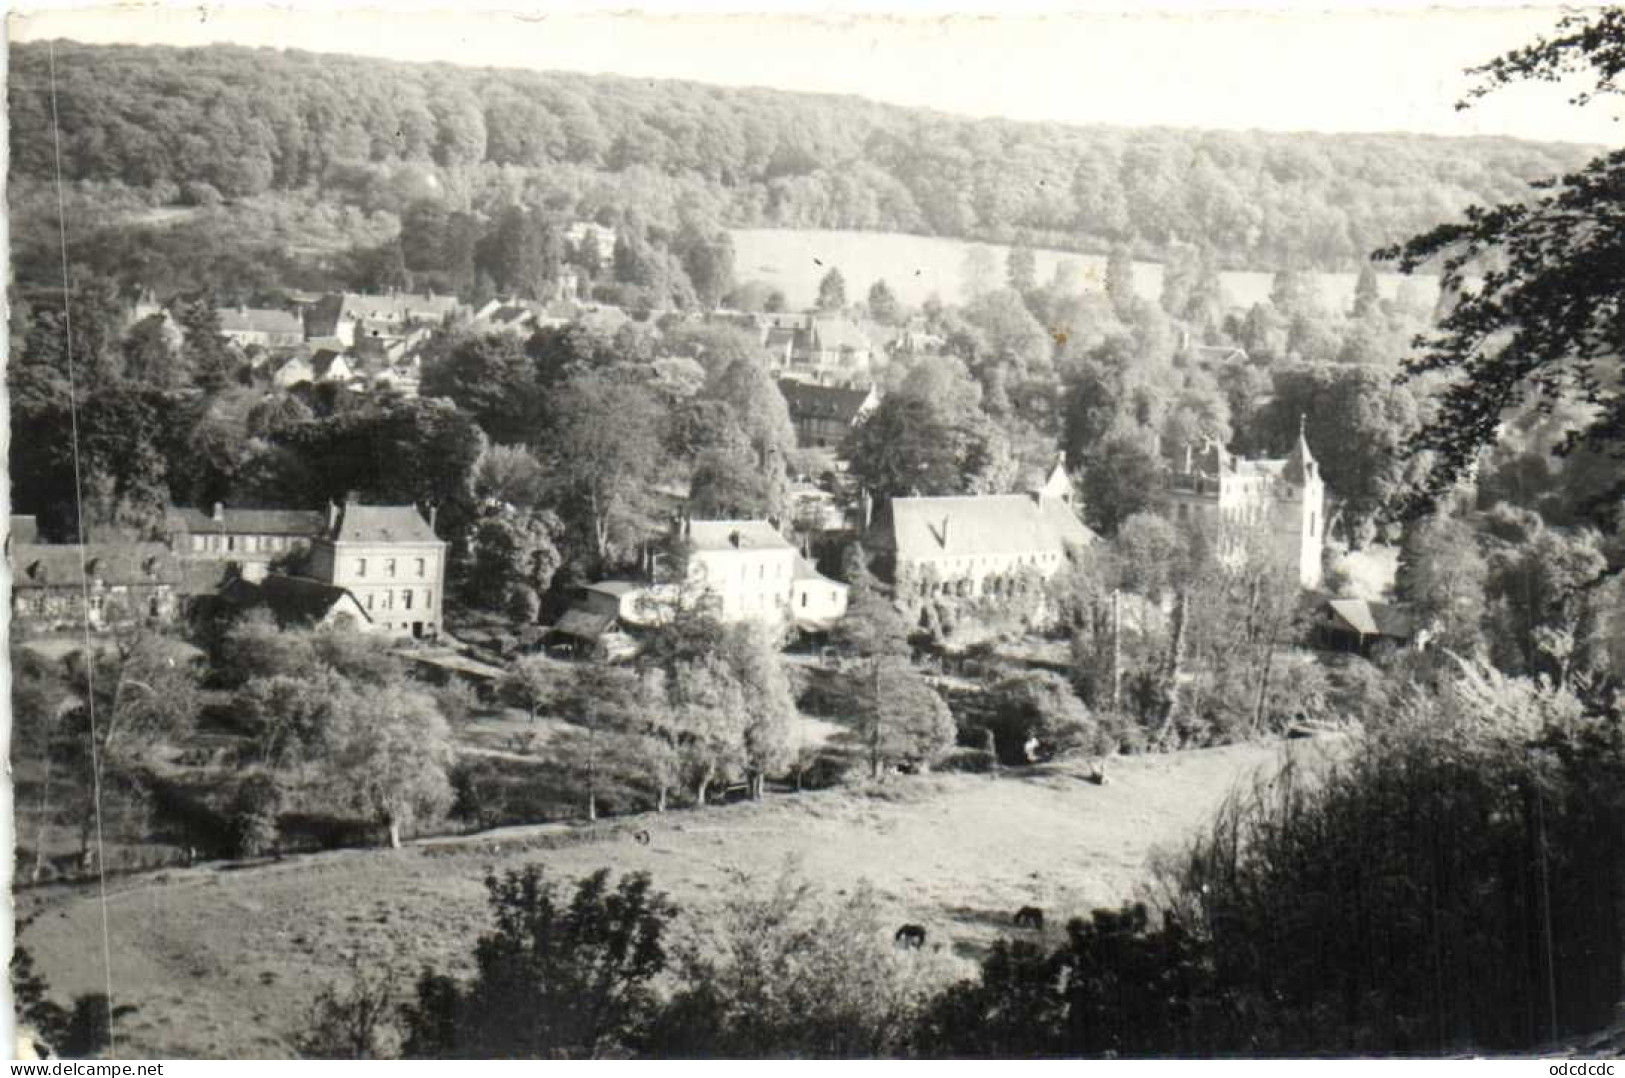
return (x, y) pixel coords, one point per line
(1452, 880)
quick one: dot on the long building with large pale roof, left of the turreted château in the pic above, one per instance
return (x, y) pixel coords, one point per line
(976, 546)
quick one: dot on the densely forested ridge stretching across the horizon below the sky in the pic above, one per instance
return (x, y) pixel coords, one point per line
(196, 126)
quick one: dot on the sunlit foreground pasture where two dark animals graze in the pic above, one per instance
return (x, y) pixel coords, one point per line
(223, 960)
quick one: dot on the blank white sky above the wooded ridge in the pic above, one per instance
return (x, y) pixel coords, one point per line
(1348, 69)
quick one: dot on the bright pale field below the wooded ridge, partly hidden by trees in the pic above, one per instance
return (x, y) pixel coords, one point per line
(795, 261)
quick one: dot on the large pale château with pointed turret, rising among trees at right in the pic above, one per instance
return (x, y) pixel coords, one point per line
(1285, 502)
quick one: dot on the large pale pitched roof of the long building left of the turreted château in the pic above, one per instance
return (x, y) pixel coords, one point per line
(984, 524)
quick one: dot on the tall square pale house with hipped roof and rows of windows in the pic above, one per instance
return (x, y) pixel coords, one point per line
(391, 560)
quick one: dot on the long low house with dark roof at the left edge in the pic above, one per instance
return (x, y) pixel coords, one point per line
(64, 588)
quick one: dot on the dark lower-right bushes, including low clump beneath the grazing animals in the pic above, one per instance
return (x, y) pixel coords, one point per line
(1454, 882)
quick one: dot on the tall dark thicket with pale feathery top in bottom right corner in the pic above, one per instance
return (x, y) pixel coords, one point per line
(1455, 882)
